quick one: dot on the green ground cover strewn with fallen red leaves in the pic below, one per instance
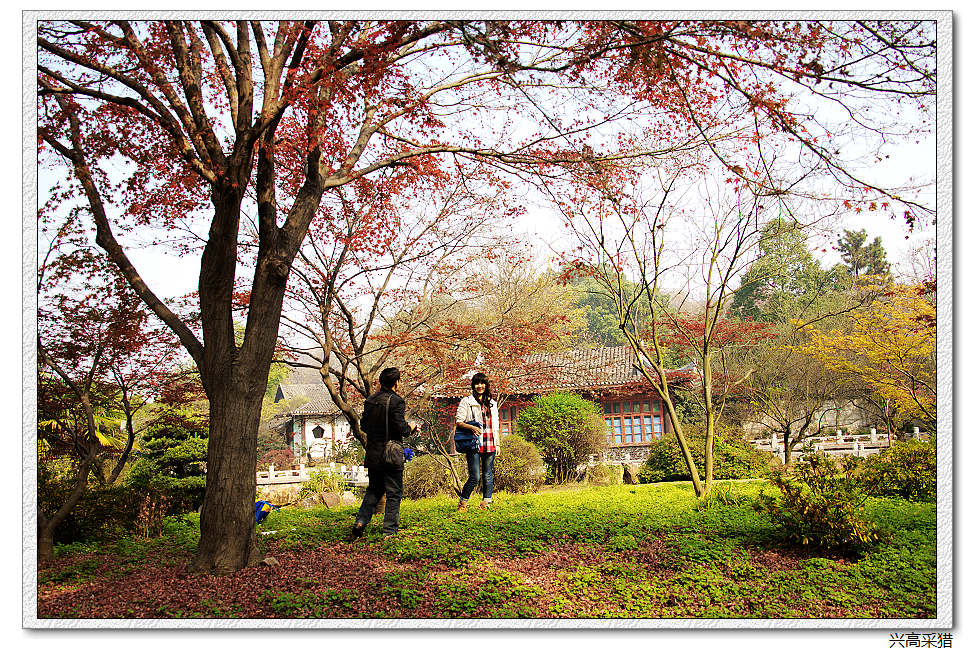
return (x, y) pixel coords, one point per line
(628, 551)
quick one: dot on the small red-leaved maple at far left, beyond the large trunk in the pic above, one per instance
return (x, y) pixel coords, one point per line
(98, 352)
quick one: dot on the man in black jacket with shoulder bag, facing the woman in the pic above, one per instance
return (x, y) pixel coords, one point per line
(383, 418)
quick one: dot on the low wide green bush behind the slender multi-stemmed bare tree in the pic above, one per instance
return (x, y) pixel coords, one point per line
(734, 458)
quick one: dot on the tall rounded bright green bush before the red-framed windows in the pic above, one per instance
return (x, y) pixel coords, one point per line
(565, 428)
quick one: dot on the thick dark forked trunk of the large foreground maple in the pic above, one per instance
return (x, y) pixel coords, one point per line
(235, 379)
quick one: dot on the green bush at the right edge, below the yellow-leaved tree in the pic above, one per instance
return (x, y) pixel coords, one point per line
(906, 470)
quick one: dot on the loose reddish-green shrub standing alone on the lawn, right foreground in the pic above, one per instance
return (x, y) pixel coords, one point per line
(820, 508)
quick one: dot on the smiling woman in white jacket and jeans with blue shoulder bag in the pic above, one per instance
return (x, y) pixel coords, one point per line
(481, 408)
